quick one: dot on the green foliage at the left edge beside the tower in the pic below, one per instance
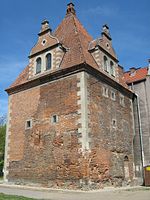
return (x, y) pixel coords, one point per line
(2, 147)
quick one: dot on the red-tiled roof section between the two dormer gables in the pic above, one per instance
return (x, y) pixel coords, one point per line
(73, 35)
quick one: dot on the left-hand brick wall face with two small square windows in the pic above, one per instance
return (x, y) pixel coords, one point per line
(48, 152)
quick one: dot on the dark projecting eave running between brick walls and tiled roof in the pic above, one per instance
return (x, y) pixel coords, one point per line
(67, 72)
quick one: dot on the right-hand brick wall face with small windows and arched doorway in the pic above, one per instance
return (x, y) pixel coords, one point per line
(110, 143)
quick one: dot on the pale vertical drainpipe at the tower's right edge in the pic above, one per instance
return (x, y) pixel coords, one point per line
(141, 135)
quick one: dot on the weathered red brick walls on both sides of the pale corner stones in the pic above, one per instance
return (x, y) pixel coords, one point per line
(51, 154)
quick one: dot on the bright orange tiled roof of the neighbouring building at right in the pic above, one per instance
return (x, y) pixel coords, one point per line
(136, 75)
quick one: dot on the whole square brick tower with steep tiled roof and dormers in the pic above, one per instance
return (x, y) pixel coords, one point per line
(70, 125)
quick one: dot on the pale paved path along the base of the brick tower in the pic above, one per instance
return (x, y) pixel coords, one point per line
(136, 193)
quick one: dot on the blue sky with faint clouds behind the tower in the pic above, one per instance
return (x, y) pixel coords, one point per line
(20, 21)
